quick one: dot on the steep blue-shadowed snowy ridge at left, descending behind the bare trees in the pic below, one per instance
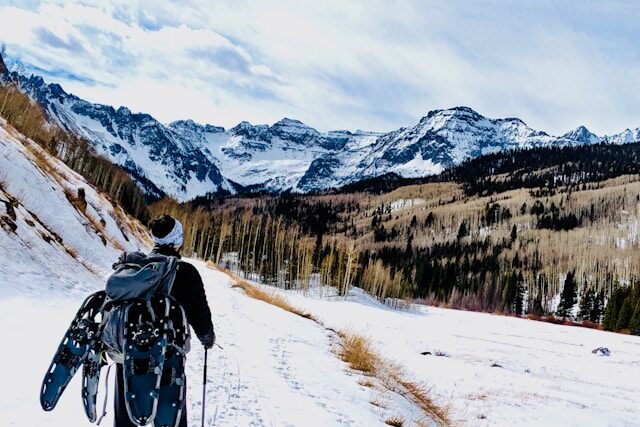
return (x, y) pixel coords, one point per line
(161, 160)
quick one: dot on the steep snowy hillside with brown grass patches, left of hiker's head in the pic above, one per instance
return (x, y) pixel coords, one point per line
(46, 242)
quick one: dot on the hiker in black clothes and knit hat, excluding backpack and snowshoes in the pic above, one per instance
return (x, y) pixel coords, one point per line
(188, 290)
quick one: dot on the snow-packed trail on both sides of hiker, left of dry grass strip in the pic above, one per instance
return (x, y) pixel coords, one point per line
(275, 368)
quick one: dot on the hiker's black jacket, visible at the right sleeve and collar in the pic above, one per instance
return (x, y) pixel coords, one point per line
(188, 290)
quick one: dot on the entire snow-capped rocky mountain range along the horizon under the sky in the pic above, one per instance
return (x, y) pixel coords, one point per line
(186, 159)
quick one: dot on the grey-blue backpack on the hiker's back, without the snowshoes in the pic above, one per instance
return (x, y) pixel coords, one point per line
(136, 276)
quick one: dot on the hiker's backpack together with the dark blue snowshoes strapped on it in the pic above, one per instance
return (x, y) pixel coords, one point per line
(141, 326)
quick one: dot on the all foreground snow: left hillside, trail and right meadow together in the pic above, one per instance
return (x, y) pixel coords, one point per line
(277, 368)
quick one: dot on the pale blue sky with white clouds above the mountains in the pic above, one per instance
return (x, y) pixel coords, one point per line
(340, 64)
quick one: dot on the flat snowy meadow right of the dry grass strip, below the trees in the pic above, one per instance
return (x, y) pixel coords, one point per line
(497, 370)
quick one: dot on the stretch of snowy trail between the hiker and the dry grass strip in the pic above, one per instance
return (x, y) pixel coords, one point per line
(275, 369)
